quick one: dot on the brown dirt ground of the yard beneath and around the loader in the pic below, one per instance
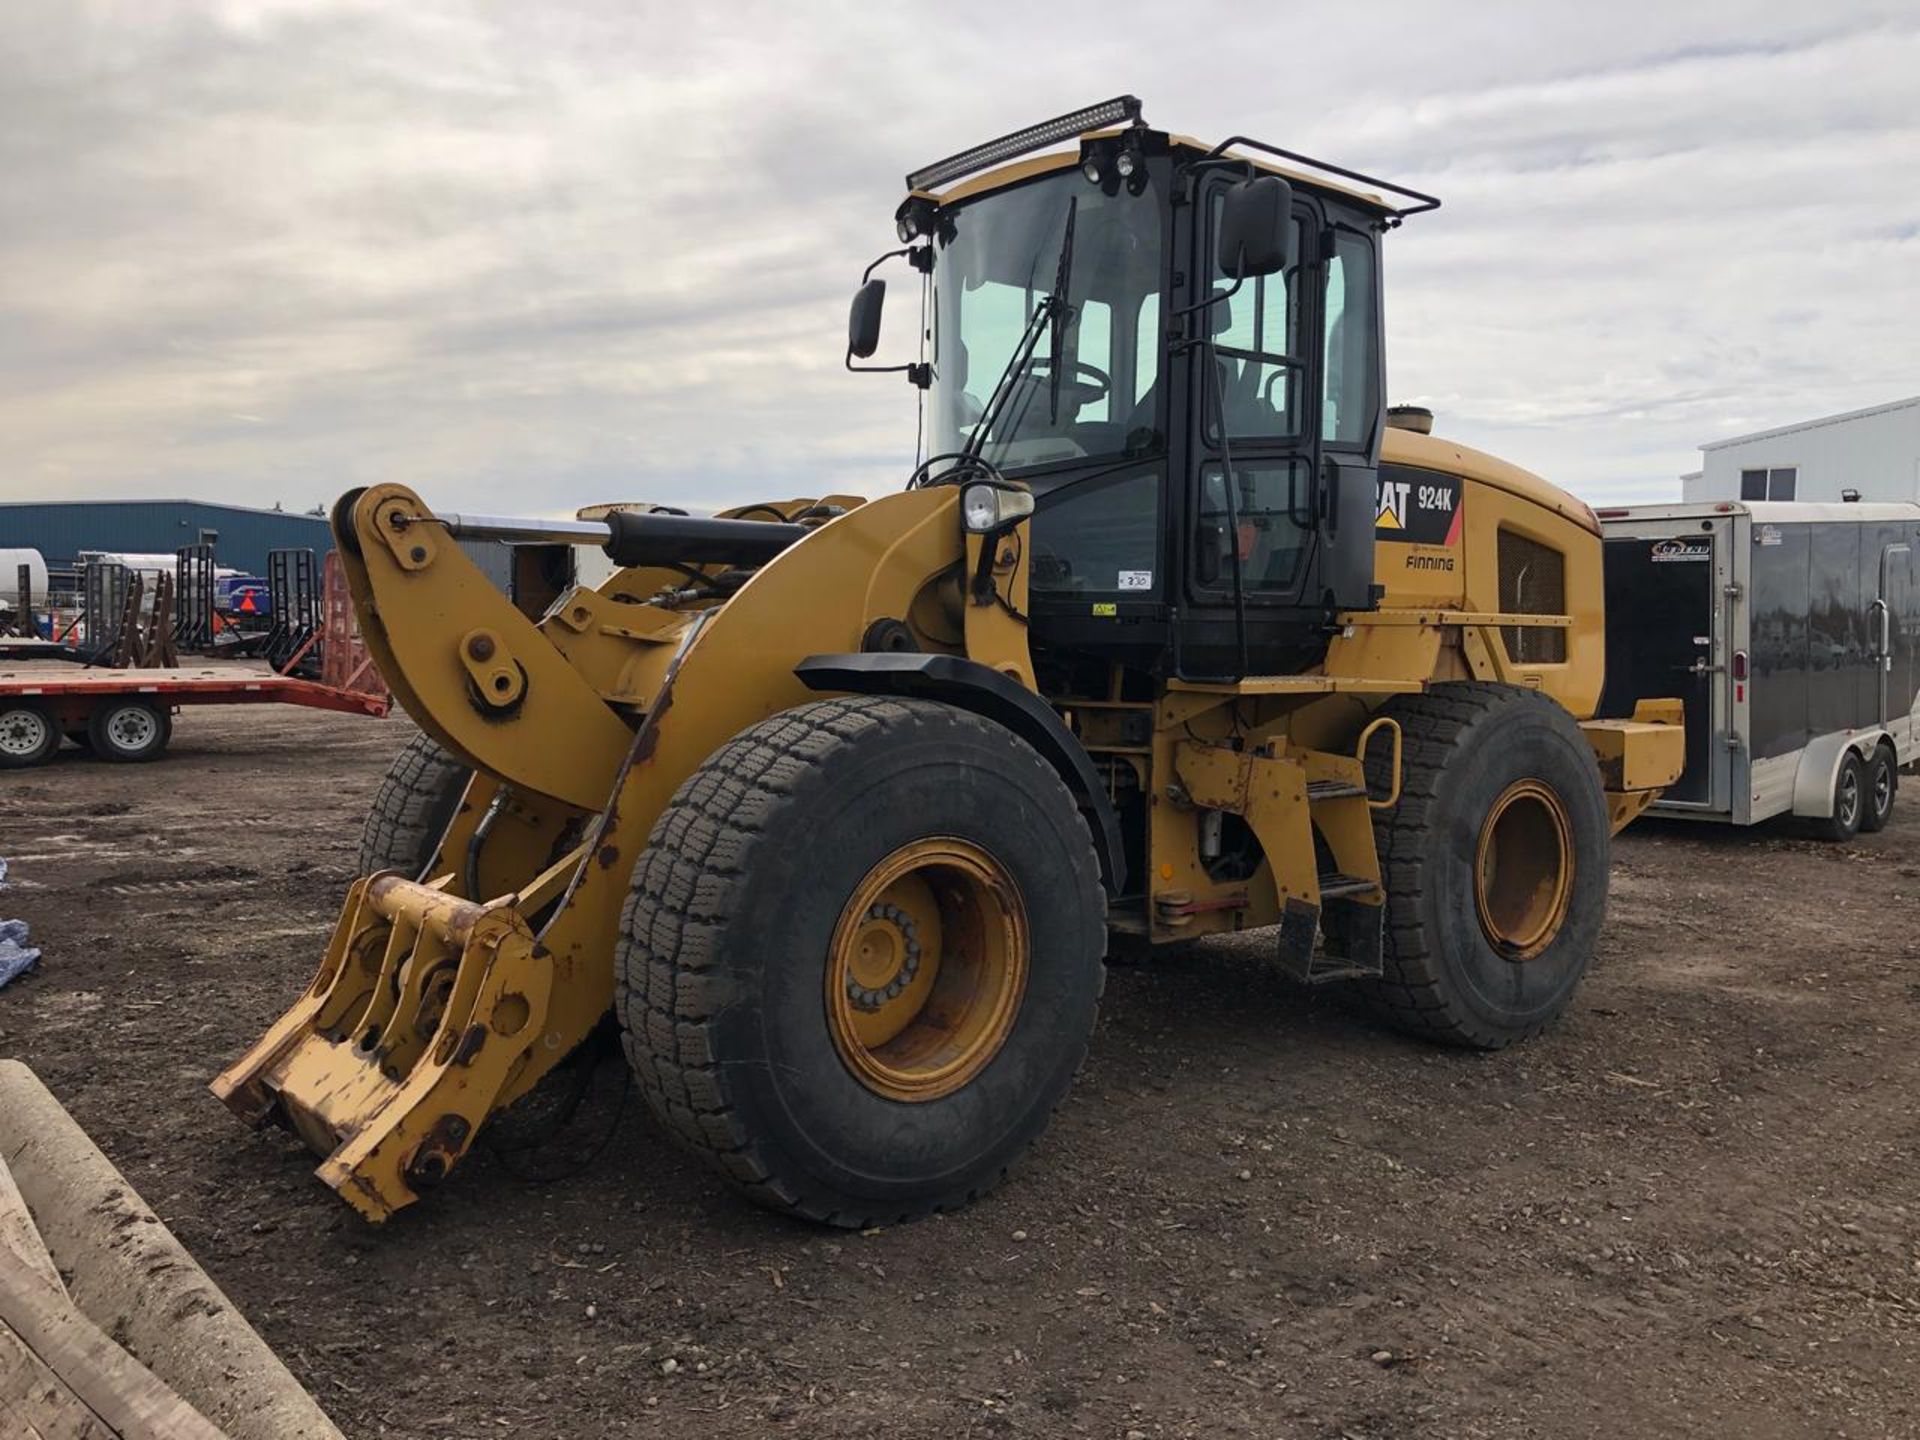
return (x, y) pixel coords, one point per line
(1687, 1211)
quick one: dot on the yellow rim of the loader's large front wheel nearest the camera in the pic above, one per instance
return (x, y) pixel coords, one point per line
(928, 969)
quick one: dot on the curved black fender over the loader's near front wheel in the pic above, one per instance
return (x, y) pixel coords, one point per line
(992, 696)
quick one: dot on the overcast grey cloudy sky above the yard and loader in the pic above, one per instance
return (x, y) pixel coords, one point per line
(531, 256)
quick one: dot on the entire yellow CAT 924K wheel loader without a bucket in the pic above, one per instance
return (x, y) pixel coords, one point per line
(838, 805)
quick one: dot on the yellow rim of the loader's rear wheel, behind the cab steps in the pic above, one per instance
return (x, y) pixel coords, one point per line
(1524, 871)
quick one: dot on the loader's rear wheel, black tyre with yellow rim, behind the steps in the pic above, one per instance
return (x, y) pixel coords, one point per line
(1495, 863)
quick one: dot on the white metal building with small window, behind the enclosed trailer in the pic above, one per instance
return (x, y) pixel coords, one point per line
(1873, 452)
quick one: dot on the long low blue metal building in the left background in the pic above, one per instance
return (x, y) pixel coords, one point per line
(60, 531)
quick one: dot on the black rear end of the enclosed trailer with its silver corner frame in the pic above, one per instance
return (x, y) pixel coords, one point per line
(1666, 638)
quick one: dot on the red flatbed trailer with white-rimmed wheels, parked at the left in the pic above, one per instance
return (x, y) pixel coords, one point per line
(128, 715)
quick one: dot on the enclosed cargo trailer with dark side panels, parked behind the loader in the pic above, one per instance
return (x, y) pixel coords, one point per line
(1792, 633)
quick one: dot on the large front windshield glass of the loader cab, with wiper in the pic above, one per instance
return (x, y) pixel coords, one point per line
(1092, 387)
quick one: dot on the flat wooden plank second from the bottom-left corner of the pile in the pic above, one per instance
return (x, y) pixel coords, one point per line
(105, 1378)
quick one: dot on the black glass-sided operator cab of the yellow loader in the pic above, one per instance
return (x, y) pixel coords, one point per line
(1203, 443)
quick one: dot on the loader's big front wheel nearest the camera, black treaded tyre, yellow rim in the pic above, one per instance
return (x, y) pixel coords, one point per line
(861, 959)
